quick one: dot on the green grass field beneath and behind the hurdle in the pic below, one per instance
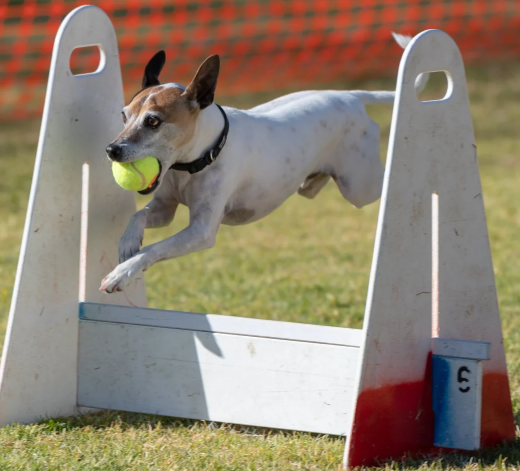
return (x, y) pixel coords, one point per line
(307, 262)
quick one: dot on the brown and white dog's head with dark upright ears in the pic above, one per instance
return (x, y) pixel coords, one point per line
(161, 120)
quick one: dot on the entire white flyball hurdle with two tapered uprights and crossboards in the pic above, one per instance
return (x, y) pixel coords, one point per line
(373, 385)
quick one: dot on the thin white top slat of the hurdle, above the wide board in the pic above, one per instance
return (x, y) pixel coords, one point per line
(221, 324)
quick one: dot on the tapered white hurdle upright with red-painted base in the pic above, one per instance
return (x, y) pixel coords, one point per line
(431, 152)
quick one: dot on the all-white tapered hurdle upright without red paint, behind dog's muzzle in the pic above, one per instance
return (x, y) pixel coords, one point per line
(38, 374)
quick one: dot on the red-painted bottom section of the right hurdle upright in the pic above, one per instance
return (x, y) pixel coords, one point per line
(395, 421)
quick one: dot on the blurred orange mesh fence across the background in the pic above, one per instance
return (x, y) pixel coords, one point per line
(263, 43)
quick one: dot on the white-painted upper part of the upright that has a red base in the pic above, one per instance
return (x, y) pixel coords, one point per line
(431, 150)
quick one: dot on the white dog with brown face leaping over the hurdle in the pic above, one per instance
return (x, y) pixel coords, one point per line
(233, 166)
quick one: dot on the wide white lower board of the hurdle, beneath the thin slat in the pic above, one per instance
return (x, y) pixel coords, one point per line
(220, 377)
